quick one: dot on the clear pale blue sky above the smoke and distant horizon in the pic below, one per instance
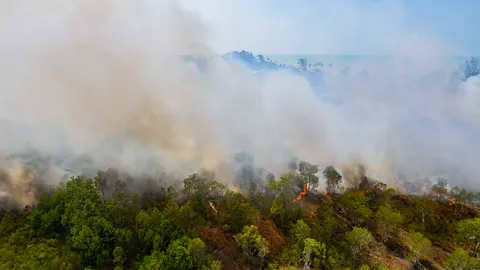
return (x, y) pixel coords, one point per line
(339, 26)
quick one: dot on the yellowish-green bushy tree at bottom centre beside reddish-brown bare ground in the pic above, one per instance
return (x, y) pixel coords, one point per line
(255, 248)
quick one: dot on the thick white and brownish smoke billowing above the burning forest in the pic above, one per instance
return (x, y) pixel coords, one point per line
(89, 85)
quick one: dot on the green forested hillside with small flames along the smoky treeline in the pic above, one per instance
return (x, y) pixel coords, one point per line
(95, 223)
